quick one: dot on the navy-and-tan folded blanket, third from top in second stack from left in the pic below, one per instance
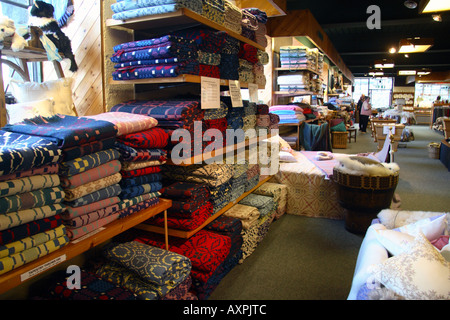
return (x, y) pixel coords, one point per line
(87, 162)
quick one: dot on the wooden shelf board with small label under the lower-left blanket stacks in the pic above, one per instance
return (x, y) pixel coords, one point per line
(12, 278)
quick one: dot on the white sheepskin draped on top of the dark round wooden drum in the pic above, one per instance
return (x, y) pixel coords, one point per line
(354, 167)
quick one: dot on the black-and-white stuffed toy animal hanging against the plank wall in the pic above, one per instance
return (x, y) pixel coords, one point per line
(42, 17)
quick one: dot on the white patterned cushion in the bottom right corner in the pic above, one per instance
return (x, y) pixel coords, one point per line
(419, 273)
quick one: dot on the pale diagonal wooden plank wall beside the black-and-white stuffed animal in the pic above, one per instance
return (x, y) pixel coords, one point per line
(84, 30)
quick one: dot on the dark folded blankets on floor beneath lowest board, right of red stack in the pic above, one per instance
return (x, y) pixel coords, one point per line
(232, 228)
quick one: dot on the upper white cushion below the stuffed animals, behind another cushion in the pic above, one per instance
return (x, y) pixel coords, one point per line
(59, 90)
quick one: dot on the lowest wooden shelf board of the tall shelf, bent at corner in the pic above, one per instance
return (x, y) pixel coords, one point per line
(188, 234)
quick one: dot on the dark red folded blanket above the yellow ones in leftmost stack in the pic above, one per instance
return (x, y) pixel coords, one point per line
(29, 229)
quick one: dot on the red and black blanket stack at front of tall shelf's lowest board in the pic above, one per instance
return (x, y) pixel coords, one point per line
(191, 206)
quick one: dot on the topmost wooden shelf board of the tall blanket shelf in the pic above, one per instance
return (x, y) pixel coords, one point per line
(172, 21)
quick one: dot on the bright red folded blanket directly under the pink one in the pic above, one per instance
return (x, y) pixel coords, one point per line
(154, 138)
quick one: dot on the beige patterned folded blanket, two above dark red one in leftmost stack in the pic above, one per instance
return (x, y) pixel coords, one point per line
(32, 199)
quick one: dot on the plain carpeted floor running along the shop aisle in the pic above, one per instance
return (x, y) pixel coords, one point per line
(313, 259)
